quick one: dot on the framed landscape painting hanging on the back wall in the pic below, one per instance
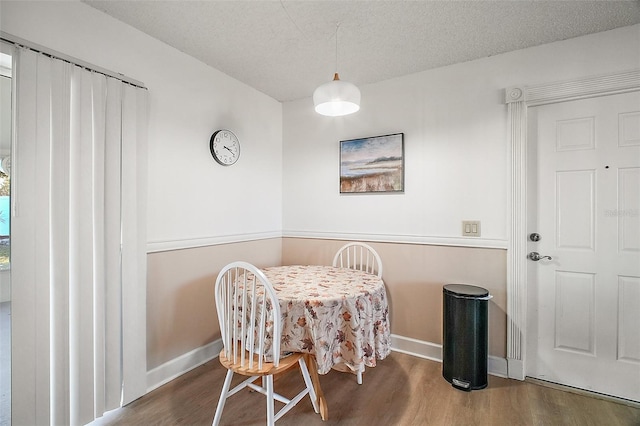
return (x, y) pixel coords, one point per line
(374, 164)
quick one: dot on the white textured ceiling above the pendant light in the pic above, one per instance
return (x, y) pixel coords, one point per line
(287, 48)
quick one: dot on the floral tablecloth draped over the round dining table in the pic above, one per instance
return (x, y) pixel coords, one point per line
(339, 315)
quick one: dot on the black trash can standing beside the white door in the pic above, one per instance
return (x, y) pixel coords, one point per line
(465, 336)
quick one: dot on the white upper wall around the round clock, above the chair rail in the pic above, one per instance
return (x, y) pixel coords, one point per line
(192, 199)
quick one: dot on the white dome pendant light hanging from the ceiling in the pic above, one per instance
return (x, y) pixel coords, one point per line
(337, 97)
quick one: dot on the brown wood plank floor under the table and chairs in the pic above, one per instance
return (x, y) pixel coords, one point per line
(401, 390)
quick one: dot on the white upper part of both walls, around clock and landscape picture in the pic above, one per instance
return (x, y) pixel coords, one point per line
(453, 118)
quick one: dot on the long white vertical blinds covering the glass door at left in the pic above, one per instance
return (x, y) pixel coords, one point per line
(78, 240)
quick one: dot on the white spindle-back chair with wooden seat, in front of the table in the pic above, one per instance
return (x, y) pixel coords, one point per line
(242, 292)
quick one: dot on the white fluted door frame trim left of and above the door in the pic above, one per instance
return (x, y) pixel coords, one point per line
(518, 100)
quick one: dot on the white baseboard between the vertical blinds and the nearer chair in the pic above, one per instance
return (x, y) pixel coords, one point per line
(178, 366)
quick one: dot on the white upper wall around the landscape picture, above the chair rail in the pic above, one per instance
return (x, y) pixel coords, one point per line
(456, 145)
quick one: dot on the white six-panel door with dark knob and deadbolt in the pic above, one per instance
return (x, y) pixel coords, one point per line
(584, 186)
